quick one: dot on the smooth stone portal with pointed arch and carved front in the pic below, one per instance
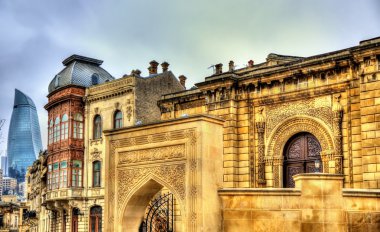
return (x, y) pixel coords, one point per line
(165, 158)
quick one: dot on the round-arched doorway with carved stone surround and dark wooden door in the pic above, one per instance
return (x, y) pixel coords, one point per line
(287, 159)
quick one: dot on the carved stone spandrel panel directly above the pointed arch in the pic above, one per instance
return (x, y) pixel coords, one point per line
(173, 175)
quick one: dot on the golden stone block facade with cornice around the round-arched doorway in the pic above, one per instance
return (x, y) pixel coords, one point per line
(331, 96)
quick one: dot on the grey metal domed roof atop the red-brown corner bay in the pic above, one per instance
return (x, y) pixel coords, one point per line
(81, 71)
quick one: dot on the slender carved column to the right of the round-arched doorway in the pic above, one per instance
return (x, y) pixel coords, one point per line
(337, 129)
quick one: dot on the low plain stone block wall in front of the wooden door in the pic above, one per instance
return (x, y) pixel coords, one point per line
(318, 203)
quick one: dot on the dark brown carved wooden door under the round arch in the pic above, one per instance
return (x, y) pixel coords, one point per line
(300, 154)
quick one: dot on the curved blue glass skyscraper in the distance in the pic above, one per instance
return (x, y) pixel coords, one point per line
(24, 136)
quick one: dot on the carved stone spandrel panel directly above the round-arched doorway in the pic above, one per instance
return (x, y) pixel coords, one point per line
(318, 108)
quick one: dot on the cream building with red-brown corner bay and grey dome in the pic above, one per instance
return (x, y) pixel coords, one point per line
(84, 100)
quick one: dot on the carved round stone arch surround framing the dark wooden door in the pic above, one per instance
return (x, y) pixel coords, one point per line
(284, 131)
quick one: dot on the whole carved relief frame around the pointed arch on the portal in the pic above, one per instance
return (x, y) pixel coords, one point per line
(171, 174)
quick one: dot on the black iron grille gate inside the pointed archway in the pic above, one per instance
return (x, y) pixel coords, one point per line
(160, 215)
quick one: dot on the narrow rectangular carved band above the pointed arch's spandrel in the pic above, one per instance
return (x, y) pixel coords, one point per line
(153, 154)
